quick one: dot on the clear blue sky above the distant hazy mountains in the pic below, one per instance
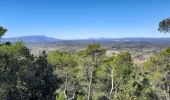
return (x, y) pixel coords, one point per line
(82, 19)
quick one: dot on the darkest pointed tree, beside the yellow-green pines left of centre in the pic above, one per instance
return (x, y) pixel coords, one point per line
(44, 82)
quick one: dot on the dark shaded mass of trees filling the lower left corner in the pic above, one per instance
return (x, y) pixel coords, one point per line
(25, 77)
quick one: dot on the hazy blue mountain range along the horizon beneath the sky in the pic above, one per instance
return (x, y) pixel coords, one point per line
(40, 38)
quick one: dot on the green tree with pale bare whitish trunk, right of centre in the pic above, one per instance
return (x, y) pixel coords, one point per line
(116, 72)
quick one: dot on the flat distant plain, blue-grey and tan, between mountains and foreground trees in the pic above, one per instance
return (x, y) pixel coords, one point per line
(141, 50)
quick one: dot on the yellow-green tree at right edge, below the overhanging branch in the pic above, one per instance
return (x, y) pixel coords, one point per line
(158, 68)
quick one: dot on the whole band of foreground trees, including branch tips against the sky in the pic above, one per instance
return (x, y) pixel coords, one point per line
(84, 75)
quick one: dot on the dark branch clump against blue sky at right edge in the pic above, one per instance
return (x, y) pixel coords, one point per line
(164, 25)
